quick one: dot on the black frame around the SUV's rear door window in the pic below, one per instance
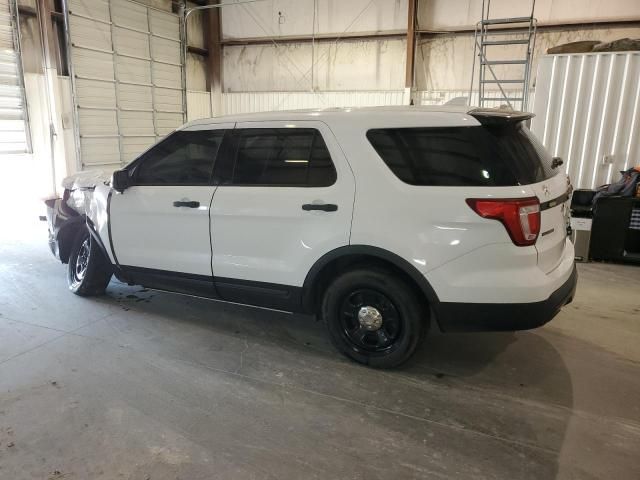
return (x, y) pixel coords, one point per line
(230, 148)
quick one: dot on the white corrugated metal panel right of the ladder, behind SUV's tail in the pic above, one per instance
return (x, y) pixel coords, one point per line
(586, 109)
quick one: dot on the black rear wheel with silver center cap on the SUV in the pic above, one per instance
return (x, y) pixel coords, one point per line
(374, 317)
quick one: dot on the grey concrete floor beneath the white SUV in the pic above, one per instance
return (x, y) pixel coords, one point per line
(143, 385)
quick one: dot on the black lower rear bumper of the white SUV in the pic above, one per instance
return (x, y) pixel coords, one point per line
(485, 317)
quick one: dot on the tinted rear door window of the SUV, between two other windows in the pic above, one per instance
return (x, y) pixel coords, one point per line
(282, 157)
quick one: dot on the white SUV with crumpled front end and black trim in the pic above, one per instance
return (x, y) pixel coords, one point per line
(382, 221)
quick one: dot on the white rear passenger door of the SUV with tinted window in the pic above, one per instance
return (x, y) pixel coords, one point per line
(285, 198)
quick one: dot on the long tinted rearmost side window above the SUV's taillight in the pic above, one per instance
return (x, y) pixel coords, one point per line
(463, 156)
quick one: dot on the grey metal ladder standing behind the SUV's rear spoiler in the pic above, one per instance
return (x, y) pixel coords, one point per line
(490, 34)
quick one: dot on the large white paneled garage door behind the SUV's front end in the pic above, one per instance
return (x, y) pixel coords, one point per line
(126, 61)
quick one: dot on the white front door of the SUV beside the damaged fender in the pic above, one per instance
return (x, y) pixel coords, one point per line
(160, 225)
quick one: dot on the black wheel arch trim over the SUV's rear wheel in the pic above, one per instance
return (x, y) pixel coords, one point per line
(350, 256)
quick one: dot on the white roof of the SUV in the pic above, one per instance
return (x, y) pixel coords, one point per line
(461, 113)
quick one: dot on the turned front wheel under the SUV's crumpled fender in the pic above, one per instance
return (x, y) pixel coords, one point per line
(88, 272)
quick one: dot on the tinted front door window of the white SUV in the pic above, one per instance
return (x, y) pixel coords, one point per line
(184, 158)
